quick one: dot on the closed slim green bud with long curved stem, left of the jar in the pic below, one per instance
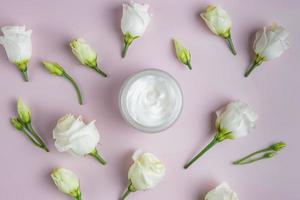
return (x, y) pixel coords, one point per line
(58, 70)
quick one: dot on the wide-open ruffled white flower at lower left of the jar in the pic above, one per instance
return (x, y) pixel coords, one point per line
(71, 134)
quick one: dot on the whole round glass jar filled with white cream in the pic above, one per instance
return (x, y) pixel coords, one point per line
(151, 100)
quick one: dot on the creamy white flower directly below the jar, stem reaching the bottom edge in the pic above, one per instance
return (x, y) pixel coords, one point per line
(145, 173)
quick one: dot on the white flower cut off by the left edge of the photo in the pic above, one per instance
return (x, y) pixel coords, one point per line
(17, 43)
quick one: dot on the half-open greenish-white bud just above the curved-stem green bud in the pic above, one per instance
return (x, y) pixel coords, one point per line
(85, 54)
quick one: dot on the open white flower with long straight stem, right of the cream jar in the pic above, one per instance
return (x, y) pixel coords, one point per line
(235, 120)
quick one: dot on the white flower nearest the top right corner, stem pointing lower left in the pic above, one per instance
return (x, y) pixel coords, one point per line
(269, 43)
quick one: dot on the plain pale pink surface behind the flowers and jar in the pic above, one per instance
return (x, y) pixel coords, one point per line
(217, 78)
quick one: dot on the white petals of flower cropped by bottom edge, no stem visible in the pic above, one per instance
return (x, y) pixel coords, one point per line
(221, 192)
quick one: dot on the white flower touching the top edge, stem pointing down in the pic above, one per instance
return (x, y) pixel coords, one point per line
(134, 22)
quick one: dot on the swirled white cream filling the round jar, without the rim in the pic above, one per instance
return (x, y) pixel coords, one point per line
(153, 100)
